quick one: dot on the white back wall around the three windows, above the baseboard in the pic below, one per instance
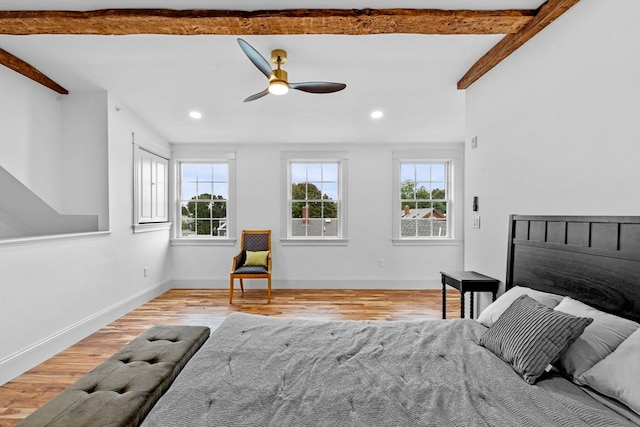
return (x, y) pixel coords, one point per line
(260, 190)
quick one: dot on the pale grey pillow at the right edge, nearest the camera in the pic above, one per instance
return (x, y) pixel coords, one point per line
(618, 375)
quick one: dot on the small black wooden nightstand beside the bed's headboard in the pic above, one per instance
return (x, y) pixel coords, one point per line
(467, 281)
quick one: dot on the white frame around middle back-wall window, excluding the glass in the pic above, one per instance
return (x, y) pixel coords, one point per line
(339, 157)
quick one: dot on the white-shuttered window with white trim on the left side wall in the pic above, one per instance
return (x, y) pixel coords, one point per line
(155, 185)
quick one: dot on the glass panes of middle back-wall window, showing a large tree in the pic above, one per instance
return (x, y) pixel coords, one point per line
(314, 199)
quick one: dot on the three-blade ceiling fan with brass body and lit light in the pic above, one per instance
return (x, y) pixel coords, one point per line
(278, 83)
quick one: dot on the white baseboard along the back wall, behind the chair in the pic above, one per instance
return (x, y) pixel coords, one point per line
(306, 283)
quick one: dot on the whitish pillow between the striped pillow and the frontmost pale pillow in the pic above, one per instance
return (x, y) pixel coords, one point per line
(598, 340)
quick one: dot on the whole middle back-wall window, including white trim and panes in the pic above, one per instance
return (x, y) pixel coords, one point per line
(315, 209)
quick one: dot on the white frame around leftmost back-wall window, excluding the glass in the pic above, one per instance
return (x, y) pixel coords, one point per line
(184, 155)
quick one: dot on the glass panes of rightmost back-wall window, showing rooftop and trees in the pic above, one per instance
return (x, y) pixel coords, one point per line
(423, 200)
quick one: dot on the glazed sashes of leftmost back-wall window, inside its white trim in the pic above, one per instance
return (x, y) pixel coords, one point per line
(203, 199)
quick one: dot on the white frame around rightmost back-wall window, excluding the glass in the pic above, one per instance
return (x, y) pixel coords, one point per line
(453, 156)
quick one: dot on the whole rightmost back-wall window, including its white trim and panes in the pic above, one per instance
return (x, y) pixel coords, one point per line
(424, 195)
